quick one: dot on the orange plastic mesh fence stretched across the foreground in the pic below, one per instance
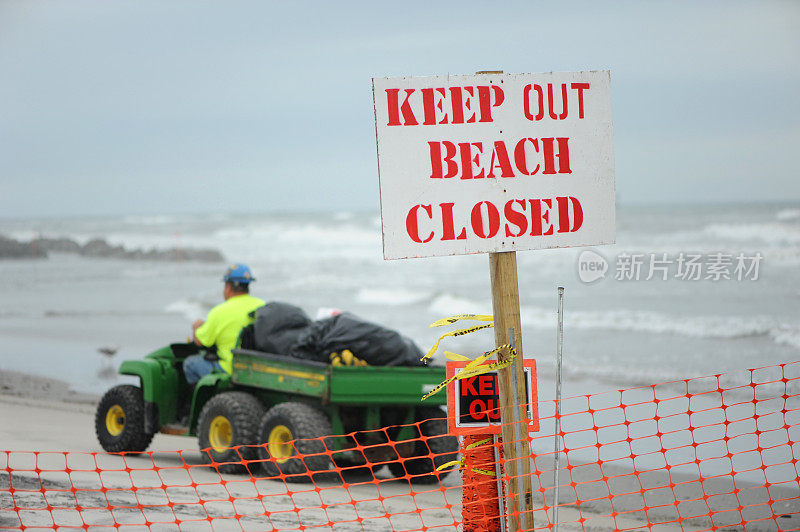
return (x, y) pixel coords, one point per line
(711, 453)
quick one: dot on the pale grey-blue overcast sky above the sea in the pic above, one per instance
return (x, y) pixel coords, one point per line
(154, 106)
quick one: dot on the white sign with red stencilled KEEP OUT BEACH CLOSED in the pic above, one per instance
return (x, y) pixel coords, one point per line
(494, 162)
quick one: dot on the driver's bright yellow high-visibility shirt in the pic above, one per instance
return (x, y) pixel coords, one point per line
(224, 323)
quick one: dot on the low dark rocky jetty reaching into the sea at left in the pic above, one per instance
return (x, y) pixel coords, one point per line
(40, 247)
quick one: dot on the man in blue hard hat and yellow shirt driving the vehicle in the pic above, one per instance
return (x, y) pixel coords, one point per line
(222, 326)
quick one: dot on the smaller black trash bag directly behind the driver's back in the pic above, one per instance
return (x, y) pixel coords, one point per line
(276, 328)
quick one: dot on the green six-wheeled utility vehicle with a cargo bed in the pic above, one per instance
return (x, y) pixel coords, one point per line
(277, 407)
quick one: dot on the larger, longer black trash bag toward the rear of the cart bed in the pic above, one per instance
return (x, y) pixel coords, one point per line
(374, 344)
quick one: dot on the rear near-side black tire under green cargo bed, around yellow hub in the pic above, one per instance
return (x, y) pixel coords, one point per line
(308, 427)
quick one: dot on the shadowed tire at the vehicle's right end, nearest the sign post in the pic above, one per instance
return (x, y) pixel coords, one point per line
(444, 448)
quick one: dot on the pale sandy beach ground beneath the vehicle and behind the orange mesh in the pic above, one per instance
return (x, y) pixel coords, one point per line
(45, 415)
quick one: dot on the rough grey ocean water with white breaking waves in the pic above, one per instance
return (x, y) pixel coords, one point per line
(56, 313)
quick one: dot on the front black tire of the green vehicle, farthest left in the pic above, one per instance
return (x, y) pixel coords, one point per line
(133, 438)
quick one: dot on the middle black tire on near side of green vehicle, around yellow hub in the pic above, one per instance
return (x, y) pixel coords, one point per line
(243, 412)
